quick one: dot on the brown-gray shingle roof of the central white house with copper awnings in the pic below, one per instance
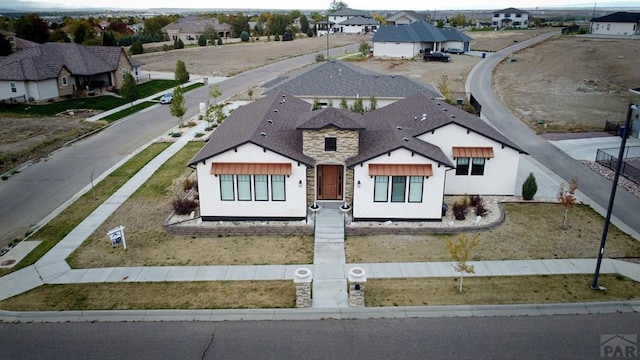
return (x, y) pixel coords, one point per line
(386, 129)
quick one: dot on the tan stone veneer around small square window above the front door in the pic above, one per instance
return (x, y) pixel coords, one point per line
(346, 140)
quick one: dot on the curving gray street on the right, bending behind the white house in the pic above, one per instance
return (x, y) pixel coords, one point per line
(594, 186)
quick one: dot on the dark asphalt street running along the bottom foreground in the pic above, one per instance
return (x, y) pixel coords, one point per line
(516, 337)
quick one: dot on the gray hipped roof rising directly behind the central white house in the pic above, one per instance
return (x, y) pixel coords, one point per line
(341, 79)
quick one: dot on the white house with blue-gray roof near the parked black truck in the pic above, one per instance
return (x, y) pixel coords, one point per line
(408, 41)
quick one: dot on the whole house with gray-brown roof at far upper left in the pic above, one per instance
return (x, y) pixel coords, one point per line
(51, 70)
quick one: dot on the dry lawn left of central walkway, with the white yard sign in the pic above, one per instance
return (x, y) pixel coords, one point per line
(148, 244)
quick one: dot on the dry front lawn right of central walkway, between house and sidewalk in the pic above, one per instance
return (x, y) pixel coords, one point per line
(530, 231)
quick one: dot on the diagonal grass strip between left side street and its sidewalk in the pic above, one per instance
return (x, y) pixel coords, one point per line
(67, 220)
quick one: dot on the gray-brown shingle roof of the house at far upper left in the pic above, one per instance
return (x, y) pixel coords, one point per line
(45, 61)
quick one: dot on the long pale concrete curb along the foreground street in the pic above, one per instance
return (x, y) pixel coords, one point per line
(400, 312)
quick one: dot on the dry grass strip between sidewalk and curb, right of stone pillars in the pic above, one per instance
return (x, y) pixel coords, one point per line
(497, 290)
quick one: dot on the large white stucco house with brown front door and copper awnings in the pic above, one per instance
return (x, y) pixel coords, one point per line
(276, 157)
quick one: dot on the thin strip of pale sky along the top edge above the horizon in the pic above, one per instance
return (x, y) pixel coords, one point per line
(324, 4)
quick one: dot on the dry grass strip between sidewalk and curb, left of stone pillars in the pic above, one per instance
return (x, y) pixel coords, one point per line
(182, 295)
